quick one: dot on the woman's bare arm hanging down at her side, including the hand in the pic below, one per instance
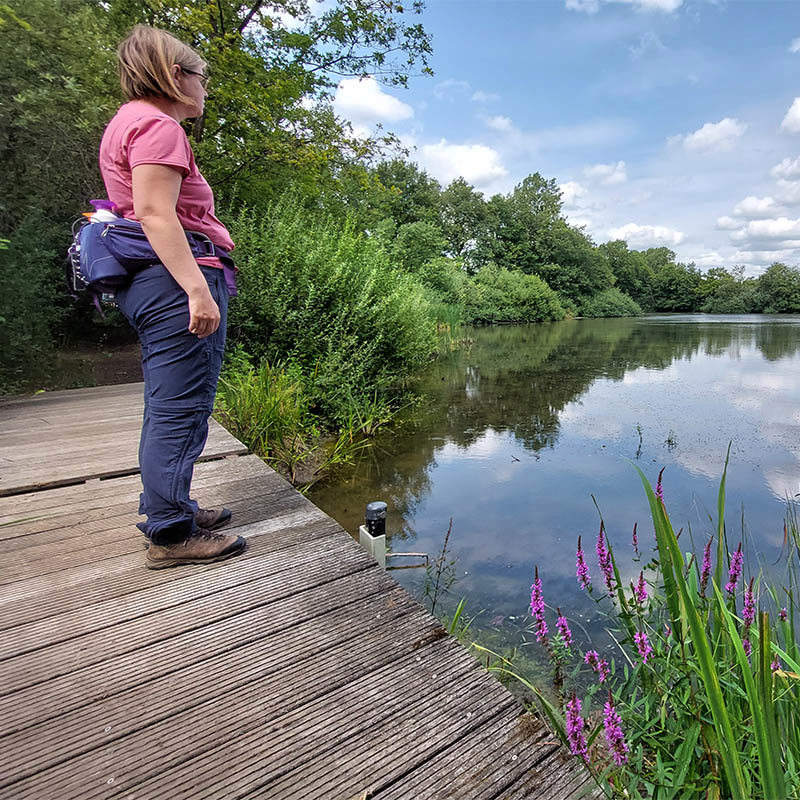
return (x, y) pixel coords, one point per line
(155, 195)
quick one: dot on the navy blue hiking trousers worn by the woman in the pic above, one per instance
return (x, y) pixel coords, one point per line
(180, 381)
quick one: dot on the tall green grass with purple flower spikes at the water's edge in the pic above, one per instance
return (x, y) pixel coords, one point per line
(702, 700)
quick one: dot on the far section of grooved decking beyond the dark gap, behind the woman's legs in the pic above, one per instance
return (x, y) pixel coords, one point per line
(79, 435)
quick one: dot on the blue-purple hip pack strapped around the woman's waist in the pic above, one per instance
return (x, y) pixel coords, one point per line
(104, 256)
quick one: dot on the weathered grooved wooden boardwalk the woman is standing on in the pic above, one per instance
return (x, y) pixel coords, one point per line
(298, 670)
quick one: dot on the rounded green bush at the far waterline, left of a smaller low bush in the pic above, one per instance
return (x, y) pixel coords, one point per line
(498, 295)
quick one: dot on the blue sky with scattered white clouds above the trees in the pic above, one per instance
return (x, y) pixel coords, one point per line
(664, 122)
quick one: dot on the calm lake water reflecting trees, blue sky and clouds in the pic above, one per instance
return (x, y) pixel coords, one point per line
(518, 430)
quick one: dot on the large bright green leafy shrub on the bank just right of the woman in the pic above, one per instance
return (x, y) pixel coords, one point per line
(315, 293)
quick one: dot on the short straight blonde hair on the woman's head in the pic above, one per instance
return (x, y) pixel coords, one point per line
(145, 61)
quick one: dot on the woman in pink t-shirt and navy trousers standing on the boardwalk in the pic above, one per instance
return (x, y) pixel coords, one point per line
(178, 307)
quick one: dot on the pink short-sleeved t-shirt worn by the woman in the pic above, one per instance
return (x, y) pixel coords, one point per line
(139, 133)
